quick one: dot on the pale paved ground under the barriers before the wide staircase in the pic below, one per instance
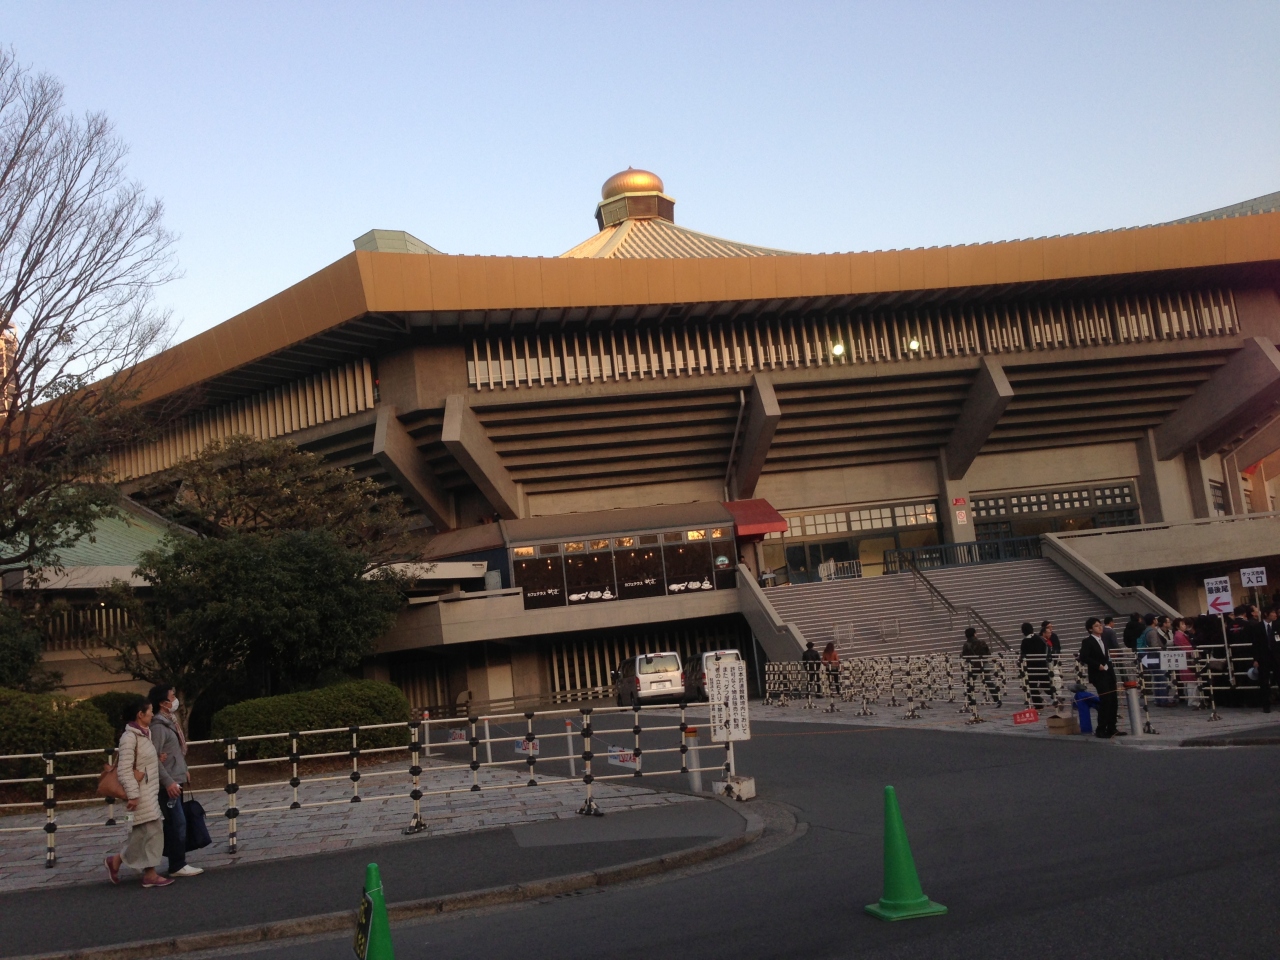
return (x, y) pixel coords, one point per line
(1176, 726)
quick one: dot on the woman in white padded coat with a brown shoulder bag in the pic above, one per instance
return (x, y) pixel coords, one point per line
(139, 770)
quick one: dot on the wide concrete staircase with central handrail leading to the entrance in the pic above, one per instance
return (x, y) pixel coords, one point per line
(897, 615)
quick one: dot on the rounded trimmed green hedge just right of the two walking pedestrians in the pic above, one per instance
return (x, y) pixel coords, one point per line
(360, 702)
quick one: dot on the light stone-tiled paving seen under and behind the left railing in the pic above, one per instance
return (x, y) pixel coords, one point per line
(328, 821)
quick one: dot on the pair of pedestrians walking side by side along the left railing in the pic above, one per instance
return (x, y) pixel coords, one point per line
(152, 767)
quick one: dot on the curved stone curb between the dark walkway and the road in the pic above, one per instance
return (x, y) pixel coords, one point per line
(417, 909)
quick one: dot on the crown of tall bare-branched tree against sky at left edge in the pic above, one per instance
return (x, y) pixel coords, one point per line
(83, 252)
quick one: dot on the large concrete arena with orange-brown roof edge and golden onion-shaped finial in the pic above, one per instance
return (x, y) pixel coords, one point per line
(619, 446)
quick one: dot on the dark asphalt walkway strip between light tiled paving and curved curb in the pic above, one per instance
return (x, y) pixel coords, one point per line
(413, 868)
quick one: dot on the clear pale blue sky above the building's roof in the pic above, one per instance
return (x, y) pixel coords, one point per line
(278, 132)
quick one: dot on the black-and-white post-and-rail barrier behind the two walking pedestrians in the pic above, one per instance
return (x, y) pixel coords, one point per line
(647, 751)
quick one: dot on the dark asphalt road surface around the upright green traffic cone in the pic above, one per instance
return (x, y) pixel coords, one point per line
(1041, 851)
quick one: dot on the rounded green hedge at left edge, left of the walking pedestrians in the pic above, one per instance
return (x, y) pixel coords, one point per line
(33, 724)
